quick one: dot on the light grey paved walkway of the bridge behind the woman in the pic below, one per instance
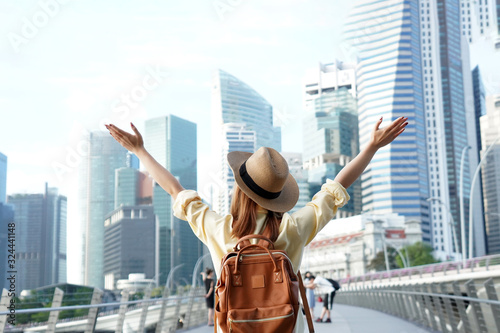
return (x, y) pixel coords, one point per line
(349, 319)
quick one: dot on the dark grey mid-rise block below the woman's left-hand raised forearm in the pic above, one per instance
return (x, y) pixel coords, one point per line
(130, 244)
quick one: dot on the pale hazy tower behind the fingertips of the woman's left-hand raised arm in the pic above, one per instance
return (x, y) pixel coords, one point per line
(96, 199)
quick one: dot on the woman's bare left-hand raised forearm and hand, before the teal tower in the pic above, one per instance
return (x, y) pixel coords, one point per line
(135, 144)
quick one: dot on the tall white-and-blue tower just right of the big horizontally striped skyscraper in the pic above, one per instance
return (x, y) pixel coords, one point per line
(450, 119)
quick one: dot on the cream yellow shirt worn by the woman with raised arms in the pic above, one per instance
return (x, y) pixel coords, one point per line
(296, 230)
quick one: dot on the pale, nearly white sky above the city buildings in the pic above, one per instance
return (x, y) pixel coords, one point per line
(64, 72)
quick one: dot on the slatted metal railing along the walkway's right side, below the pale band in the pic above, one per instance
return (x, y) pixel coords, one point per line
(443, 307)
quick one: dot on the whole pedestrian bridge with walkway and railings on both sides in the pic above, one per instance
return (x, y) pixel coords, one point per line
(446, 297)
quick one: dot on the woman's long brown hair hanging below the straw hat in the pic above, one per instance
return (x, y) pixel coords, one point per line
(244, 212)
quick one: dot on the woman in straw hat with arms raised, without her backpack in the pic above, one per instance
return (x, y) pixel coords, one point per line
(264, 192)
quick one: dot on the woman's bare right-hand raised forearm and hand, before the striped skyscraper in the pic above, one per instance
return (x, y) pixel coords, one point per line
(380, 137)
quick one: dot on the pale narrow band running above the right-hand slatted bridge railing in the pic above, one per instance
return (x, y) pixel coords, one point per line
(444, 268)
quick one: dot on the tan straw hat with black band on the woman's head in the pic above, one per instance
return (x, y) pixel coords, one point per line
(264, 177)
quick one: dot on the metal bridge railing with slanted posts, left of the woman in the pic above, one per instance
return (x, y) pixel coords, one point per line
(165, 314)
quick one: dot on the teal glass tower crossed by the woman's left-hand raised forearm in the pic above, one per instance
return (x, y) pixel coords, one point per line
(172, 142)
